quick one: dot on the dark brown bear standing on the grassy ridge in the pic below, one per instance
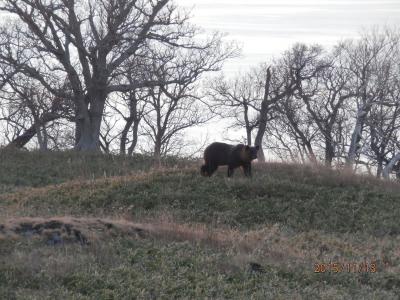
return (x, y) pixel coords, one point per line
(234, 156)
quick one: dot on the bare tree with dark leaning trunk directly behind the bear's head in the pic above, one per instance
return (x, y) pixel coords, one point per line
(250, 99)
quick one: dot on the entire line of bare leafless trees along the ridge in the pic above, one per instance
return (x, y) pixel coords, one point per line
(126, 76)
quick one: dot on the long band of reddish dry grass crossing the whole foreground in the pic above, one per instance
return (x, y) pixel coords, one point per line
(272, 245)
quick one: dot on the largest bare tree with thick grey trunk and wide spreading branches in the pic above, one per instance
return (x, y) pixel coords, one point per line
(88, 42)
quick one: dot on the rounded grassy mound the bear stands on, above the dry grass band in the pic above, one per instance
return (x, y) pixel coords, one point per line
(300, 197)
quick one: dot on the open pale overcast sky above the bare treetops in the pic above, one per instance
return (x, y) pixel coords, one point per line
(267, 27)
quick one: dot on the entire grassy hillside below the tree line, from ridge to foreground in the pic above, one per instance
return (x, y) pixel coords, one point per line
(105, 227)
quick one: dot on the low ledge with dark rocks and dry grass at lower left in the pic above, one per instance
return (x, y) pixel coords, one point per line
(58, 230)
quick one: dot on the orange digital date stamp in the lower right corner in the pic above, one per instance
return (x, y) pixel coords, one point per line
(349, 267)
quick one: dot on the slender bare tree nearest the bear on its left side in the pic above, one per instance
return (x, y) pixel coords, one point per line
(176, 106)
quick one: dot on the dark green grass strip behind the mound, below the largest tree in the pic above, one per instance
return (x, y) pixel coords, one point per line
(35, 169)
